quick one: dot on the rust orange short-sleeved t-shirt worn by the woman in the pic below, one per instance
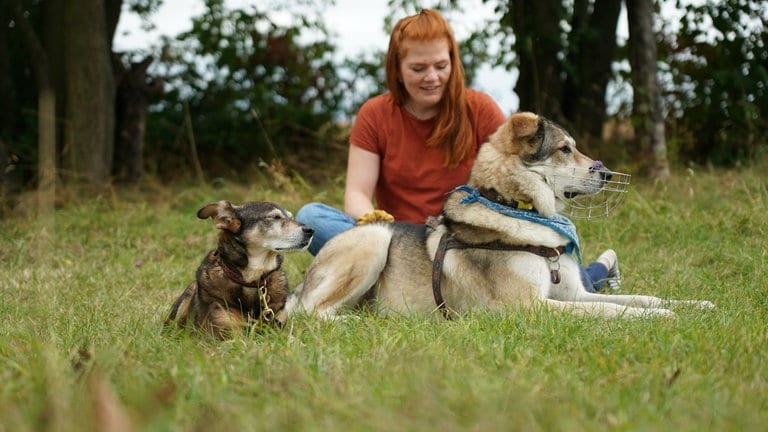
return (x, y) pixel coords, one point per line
(413, 180)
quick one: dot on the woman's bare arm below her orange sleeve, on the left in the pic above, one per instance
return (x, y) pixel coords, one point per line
(362, 175)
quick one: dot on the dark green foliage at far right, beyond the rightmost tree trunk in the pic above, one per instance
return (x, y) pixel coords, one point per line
(718, 70)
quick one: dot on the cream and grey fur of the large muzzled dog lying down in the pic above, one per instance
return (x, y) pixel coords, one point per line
(392, 262)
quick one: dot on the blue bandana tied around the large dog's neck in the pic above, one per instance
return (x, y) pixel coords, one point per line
(560, 224)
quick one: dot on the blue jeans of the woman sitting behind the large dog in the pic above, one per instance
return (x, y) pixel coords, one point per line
(328, 221)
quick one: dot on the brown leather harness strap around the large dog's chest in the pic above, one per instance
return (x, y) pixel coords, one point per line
(449, 242)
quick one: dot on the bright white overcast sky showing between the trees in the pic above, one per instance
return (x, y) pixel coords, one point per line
(357, 26)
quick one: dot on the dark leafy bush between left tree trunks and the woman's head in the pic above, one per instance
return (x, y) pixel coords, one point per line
(254, 89)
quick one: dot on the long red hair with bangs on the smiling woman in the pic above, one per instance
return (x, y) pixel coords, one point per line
(453, 133)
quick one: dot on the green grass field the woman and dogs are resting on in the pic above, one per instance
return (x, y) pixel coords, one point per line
(81, 348)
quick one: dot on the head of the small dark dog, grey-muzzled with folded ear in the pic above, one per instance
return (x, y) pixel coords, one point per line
(259, 225)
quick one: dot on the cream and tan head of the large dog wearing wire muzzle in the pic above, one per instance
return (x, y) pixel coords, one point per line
(532, 159)
